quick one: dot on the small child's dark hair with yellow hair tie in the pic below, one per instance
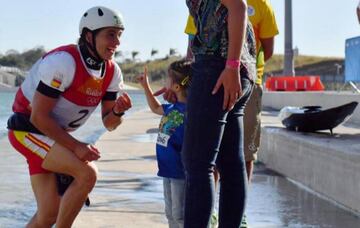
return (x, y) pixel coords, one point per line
(180, 73)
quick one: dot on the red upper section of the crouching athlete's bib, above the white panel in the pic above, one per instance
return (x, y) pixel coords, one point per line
(86, 90)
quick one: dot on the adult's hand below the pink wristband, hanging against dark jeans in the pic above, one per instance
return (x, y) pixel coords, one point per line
(230, 80)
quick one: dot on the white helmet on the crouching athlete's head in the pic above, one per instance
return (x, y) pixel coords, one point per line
(100, 17)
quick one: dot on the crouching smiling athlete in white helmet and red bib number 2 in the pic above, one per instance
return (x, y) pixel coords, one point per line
(61, 91)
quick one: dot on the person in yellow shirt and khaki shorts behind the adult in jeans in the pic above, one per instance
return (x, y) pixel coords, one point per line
(262, 18)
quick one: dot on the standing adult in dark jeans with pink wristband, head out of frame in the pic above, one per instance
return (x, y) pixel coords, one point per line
(223, 73)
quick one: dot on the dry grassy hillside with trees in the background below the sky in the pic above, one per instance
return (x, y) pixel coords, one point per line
(157, 68)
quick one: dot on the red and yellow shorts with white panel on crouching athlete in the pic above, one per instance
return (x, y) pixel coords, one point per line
(34, 147)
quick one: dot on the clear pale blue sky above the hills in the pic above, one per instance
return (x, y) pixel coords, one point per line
(320, 27)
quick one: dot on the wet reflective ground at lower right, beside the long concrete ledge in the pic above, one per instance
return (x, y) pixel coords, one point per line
(275, 201)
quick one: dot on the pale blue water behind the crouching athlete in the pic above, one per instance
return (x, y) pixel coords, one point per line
(89, 132)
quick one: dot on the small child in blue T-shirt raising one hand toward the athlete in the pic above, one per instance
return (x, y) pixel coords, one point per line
(170, 138)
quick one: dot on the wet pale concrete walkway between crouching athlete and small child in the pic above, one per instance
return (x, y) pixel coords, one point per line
(128, 192)
